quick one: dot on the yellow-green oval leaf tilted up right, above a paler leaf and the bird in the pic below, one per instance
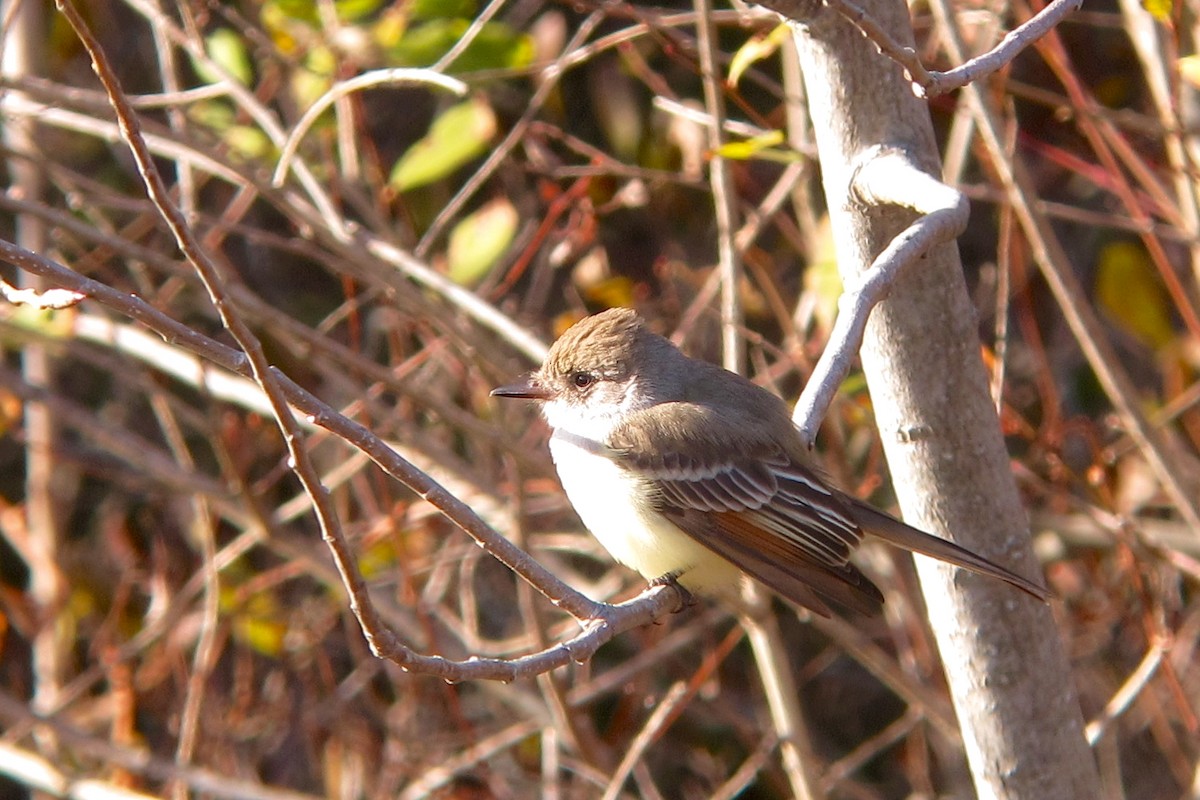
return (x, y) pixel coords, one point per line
(460, 135)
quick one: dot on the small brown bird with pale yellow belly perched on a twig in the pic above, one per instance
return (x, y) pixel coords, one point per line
(686, 471)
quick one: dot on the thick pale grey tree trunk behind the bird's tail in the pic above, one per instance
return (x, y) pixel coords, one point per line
(1009, 675)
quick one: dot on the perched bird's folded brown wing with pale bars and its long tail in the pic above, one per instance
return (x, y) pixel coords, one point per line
(757, 504)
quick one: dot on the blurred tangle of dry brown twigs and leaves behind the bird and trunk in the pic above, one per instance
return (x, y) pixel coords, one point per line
(172, 621)
